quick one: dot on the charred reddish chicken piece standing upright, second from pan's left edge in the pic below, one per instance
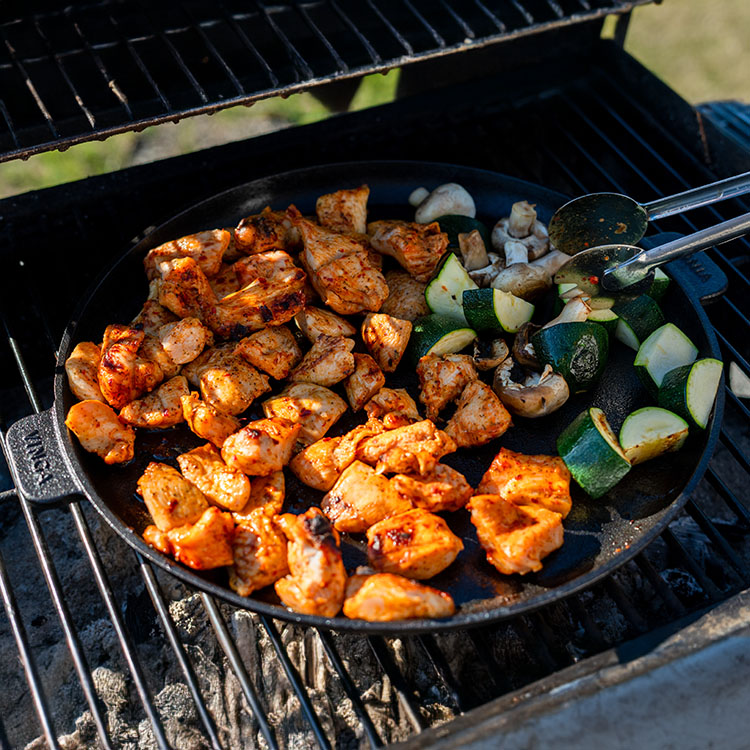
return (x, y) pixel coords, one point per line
(116, 374)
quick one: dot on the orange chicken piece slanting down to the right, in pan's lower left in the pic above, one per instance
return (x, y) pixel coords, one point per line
(203, 466)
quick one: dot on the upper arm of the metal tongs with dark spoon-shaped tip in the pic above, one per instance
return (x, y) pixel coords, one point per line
(608, 218)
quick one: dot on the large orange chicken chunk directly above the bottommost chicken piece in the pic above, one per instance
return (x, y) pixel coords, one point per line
(416, 544)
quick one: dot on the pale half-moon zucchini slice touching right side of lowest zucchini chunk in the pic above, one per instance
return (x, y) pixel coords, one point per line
(651, 431)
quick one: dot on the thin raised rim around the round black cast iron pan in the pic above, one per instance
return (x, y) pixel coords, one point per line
(458, 621)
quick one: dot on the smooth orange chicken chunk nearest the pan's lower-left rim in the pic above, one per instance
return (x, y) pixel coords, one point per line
(205, 544)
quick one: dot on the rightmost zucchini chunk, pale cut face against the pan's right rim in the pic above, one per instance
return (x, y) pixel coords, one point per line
(690, 390)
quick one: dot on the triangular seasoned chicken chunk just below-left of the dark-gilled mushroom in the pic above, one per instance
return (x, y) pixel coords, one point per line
(480, 416)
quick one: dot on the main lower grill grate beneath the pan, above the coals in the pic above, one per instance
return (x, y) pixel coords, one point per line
(584, 133)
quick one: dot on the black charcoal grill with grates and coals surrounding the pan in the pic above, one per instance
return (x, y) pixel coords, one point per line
(525, 88)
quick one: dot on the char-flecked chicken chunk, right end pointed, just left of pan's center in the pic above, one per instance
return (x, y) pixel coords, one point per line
(261, 447)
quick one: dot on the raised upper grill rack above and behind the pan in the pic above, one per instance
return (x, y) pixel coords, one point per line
(72, 75)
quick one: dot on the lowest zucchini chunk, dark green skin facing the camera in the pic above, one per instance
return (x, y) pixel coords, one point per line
(591, 452)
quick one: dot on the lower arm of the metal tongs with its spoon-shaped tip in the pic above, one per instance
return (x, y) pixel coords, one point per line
(627, 268)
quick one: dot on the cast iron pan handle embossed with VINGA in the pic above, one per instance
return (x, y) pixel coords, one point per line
(37, 464)
